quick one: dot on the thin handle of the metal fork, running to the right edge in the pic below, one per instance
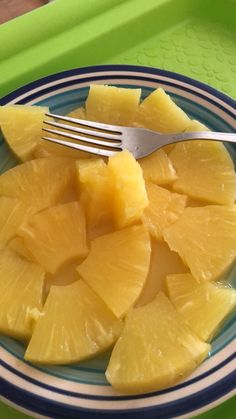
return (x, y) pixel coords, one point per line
(206, 135)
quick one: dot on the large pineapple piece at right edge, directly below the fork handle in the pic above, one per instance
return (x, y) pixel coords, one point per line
(205, 171)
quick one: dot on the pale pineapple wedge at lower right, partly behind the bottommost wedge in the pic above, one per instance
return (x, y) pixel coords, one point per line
(203, 307)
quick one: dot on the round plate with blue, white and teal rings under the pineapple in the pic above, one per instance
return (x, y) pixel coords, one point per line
(81, 390)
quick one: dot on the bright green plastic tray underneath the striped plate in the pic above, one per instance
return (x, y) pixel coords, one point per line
(194, 37)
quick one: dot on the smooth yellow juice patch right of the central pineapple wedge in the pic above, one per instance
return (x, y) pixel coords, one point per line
(163, 262)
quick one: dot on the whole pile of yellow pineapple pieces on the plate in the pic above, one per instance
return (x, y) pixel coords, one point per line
(99, 253)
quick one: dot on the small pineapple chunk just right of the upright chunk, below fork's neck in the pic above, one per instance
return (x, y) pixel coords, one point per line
(157, 168)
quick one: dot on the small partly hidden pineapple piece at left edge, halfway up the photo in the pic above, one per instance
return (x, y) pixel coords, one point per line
(12, 215)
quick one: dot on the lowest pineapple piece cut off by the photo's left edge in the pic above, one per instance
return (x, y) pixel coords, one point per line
(21, 293)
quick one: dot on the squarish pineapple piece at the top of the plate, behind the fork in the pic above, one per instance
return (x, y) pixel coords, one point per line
(112, 105)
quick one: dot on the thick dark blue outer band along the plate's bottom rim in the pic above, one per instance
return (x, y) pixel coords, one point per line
(43, 406)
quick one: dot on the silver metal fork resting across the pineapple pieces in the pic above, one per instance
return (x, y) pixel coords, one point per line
(106, 140)
